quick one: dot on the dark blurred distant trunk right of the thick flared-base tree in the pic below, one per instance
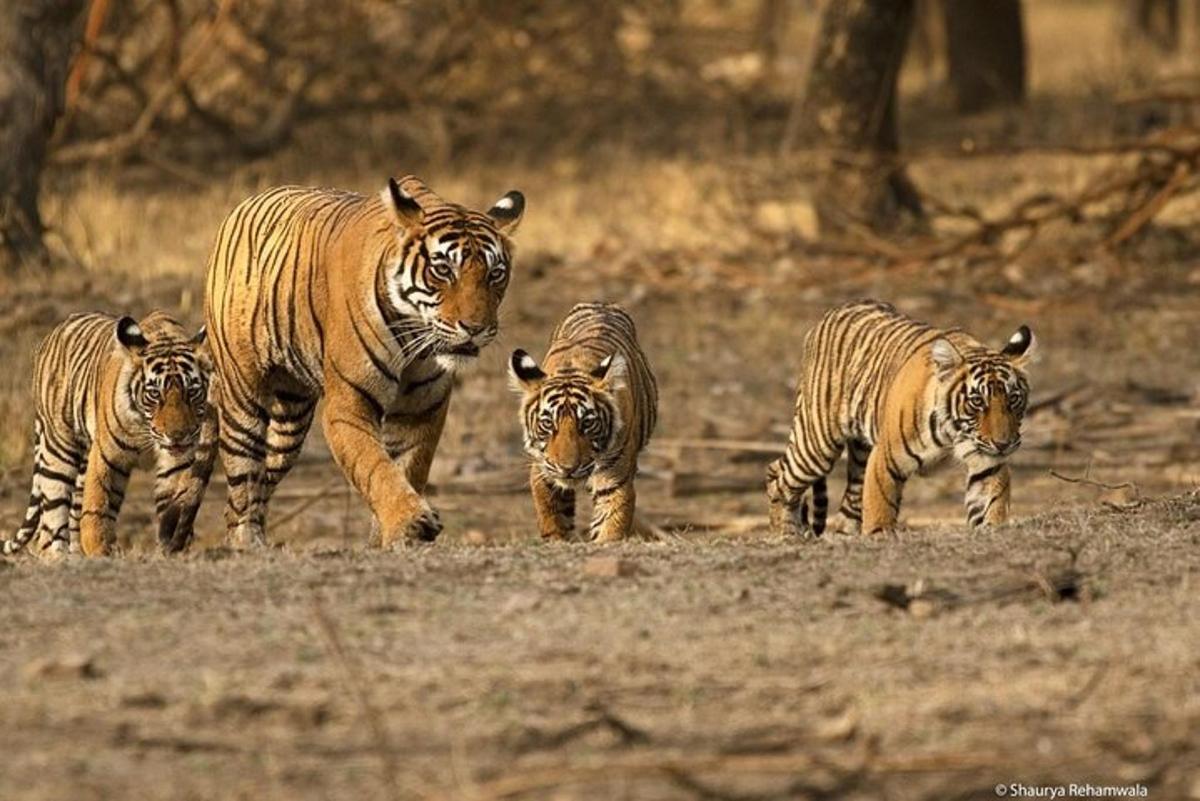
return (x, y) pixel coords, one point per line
(986, 53)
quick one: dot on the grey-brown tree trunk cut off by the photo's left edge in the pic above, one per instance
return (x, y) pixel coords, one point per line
(37, 41)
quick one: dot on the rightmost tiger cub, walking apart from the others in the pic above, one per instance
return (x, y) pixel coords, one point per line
(899, 396)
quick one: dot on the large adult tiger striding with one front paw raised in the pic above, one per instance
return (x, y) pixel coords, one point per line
(369, 302)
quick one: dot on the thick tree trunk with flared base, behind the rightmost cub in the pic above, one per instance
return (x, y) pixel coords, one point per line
(850, 112)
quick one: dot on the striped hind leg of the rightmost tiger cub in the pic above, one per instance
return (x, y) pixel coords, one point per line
(806, 463)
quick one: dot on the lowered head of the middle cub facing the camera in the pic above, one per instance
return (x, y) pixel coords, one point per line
(571, 419)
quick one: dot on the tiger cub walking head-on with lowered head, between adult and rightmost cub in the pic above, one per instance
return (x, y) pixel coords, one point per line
(587, 414)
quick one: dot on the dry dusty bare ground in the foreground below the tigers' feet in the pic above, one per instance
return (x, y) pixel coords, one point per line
(494, 672)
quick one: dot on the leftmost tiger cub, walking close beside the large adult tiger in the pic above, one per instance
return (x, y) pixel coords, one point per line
(111, 394)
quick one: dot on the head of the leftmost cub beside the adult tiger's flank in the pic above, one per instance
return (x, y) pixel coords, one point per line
(170, 386)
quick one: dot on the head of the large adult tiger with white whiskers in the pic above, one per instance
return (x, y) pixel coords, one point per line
(452, 273)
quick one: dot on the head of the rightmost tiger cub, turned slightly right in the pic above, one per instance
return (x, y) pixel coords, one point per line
(986, 394)
